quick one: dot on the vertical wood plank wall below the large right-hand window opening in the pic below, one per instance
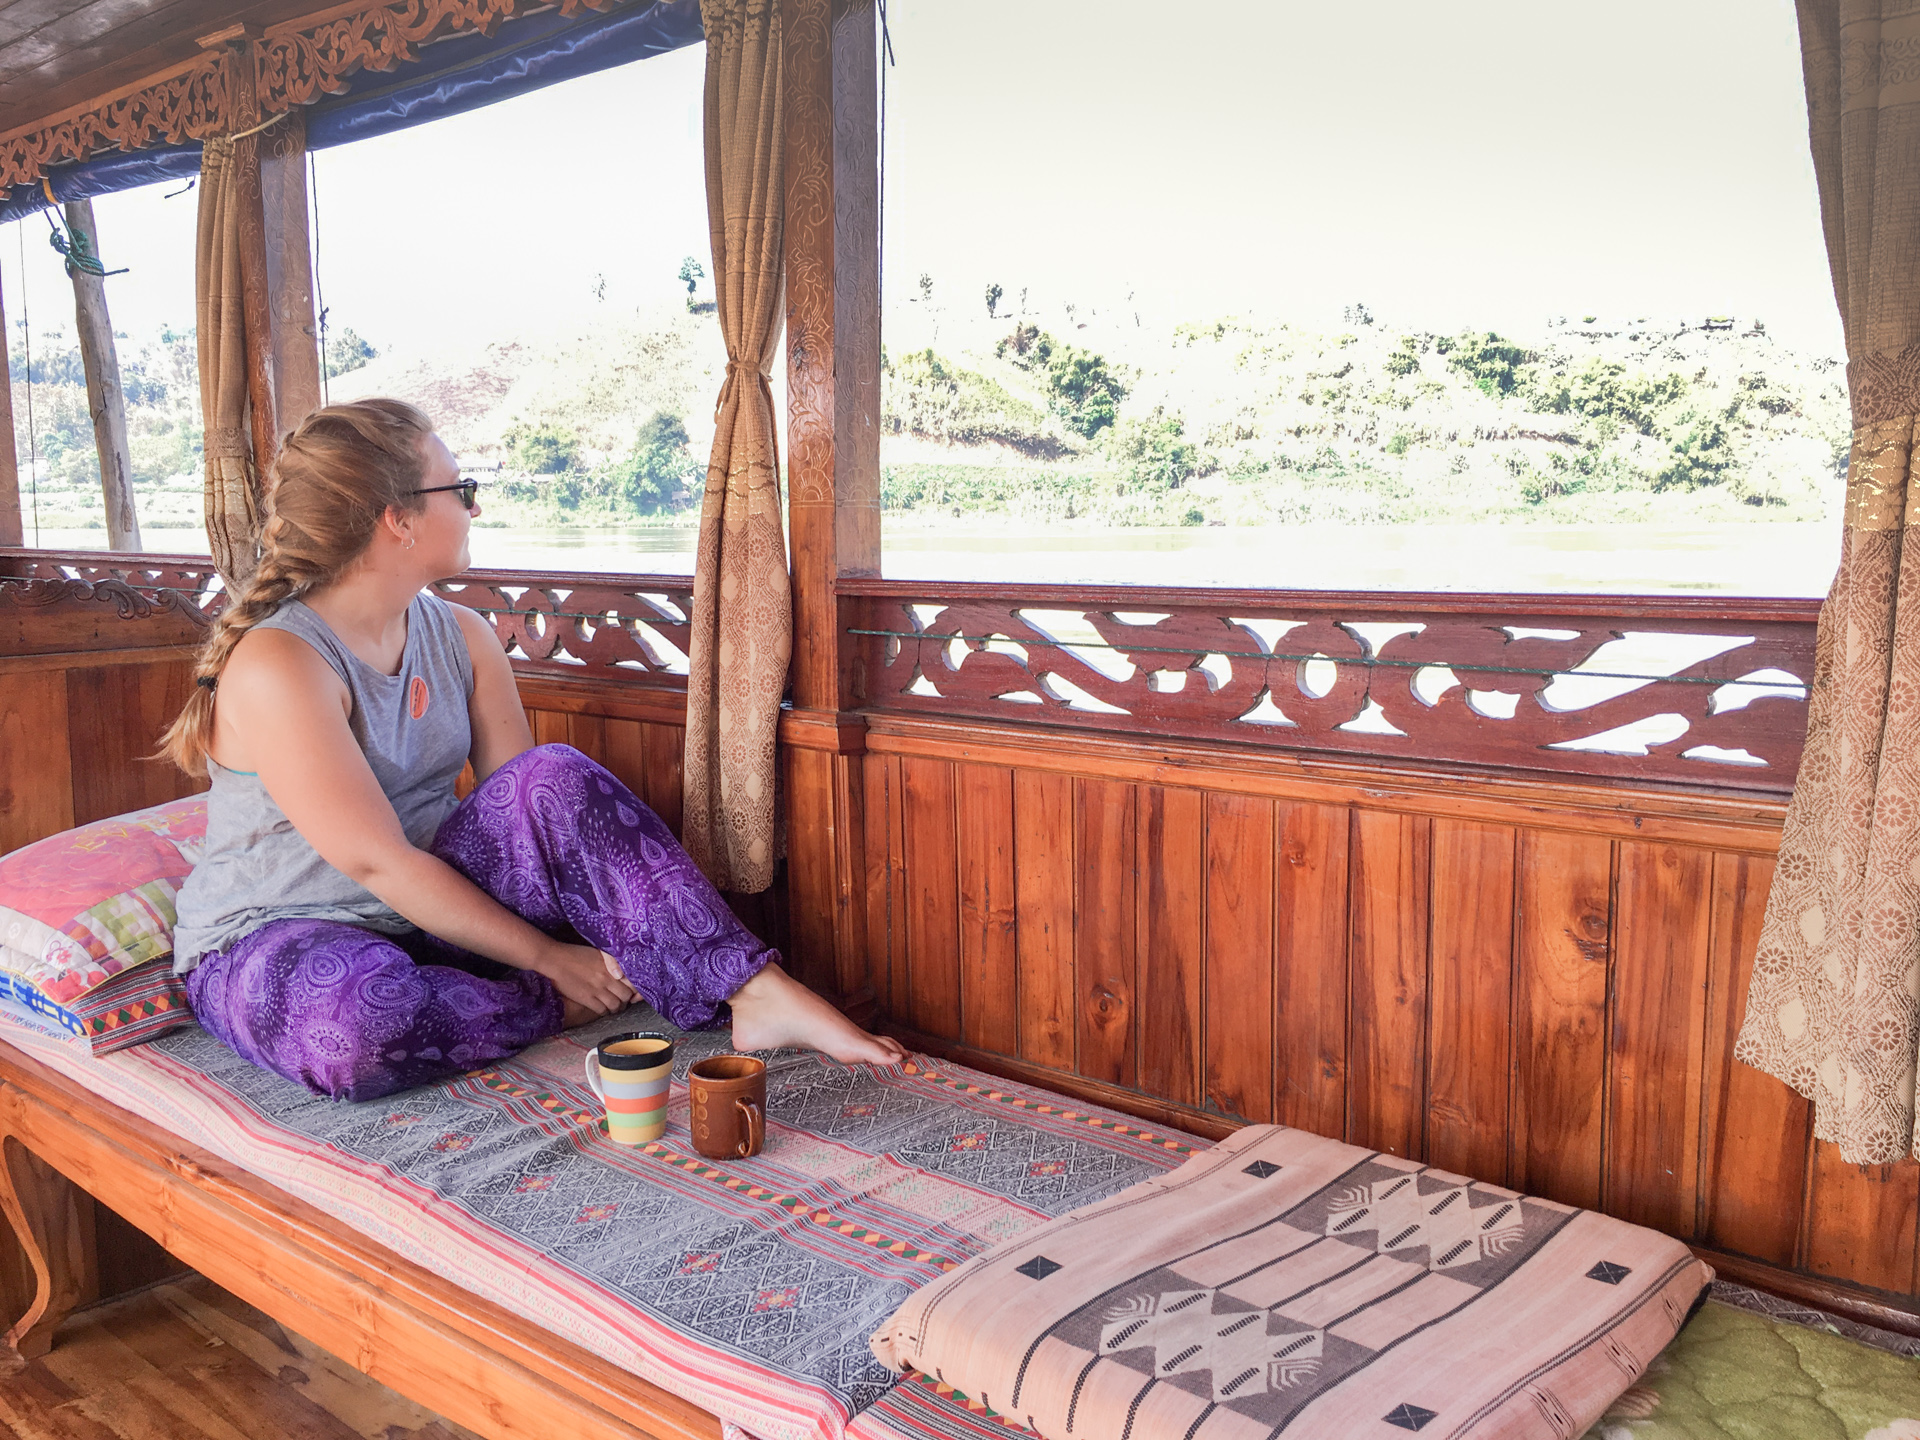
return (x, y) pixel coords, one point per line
(1514, 992)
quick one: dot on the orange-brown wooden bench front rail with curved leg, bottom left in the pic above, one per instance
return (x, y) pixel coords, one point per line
(395, 1320)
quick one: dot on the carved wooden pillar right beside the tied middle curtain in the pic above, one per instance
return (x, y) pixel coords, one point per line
(832, 254)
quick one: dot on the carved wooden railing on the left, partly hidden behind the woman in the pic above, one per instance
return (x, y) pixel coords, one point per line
(615, 627)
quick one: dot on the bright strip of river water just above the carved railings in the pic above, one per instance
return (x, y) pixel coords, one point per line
(1737, 560)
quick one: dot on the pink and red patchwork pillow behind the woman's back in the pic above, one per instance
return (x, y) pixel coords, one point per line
(84, 915)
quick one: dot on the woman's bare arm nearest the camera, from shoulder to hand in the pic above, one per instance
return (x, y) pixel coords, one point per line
(283, 713)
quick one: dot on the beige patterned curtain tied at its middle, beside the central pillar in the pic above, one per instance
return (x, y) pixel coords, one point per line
(742, 600)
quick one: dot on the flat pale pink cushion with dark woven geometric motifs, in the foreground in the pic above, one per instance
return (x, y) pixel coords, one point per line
(1291, 1284)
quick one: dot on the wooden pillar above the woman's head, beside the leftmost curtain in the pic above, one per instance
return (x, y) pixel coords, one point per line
(297, 354)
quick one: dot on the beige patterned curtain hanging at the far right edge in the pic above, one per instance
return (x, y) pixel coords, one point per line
(1836, 982)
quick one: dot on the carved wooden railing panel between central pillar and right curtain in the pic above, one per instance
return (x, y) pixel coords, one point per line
(1696, 690)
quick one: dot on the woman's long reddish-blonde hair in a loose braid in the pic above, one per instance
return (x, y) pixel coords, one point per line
(333, 481)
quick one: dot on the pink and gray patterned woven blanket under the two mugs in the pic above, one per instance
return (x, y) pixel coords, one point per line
(748, 1287)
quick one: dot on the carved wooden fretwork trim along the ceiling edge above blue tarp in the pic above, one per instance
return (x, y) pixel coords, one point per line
(297, 62)
